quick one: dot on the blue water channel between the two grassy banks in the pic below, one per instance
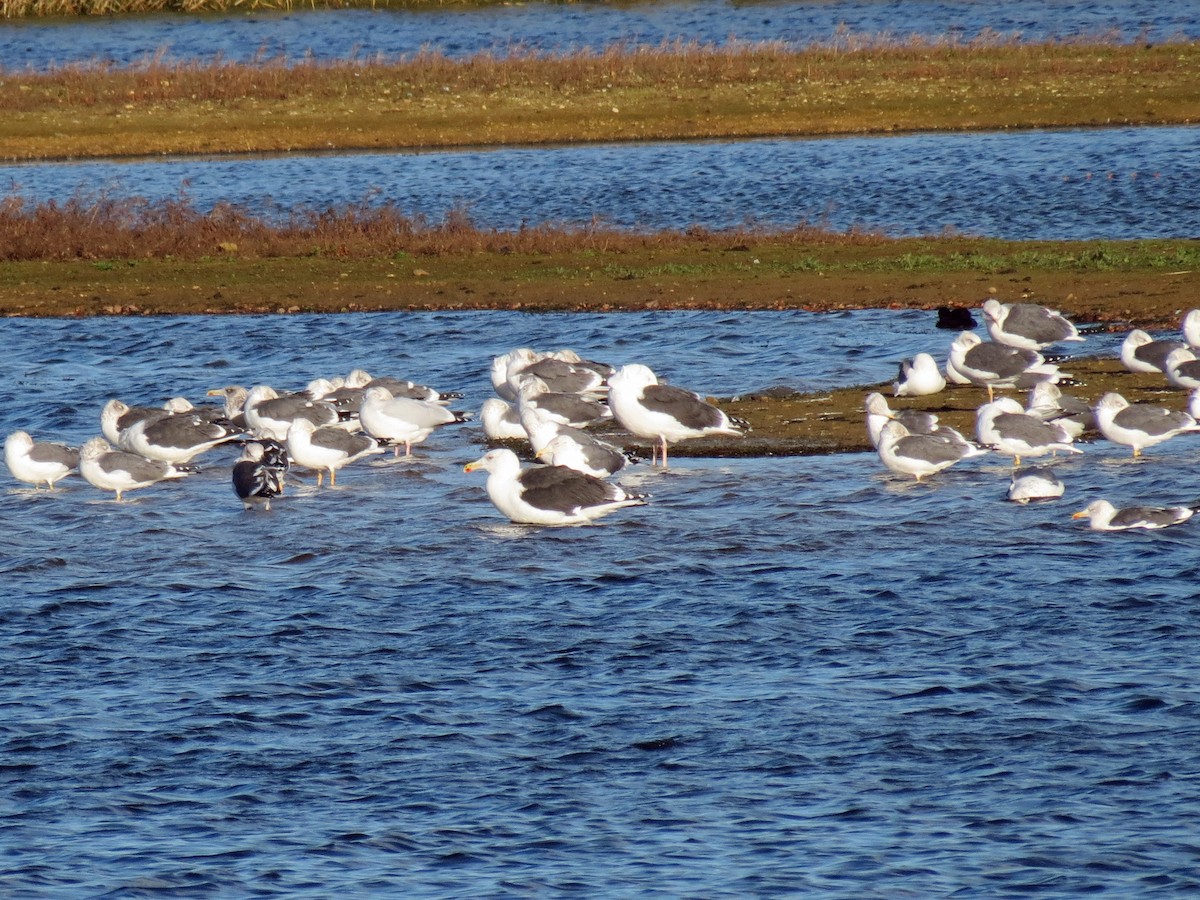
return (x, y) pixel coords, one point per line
(1107, 184)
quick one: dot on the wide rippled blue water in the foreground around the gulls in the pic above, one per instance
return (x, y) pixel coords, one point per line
(783, 676)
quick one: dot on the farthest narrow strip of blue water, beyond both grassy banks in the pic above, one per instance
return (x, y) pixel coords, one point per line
(555, 28)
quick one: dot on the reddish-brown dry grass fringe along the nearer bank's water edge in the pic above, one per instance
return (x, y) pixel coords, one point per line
(133, 229)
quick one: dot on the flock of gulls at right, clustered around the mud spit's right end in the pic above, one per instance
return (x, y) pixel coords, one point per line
(915, 443)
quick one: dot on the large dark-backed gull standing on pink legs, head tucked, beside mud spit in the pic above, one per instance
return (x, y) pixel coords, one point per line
(663, 412)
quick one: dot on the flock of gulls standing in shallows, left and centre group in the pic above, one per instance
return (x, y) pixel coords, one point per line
(548, 399)
